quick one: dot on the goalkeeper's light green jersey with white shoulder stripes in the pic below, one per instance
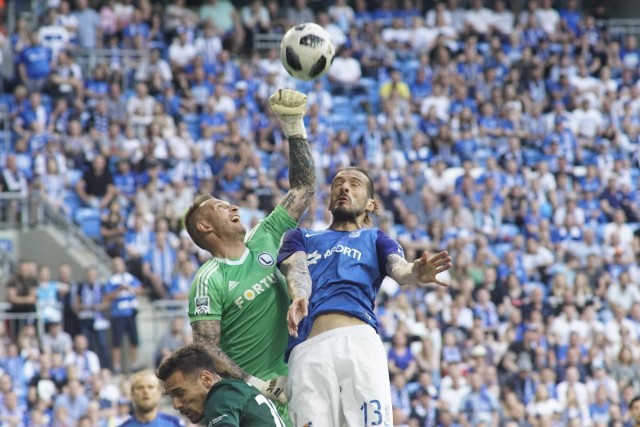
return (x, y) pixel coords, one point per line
(249, 297)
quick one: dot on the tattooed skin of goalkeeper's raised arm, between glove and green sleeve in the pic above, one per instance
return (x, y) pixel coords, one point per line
(302, 178)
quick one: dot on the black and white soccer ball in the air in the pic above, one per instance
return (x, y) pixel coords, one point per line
(306, 51)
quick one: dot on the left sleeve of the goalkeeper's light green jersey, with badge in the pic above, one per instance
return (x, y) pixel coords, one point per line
(206, 300)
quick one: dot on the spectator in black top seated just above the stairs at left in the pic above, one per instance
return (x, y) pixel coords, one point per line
(96, 188)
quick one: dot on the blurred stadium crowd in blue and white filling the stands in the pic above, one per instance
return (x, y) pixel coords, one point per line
(508, 138)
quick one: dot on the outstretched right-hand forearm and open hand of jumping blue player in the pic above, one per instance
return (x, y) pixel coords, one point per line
(422, 271)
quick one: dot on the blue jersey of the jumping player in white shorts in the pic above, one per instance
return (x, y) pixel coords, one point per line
(346, 267)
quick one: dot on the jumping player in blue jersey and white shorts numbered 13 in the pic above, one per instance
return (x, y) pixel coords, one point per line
(333, 277)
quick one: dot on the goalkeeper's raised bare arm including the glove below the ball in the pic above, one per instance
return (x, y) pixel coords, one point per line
(289, 105)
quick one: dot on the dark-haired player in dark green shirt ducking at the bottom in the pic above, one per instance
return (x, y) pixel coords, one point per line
(199, 393)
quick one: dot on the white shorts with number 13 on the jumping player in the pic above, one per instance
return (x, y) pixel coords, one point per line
(340, 378)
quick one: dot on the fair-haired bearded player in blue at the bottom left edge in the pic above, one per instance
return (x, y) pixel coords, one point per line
(146, 392)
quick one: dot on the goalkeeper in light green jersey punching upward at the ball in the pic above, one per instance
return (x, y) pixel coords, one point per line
(238, 300)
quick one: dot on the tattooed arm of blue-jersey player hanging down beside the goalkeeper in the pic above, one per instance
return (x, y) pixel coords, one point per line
(296, 271)
